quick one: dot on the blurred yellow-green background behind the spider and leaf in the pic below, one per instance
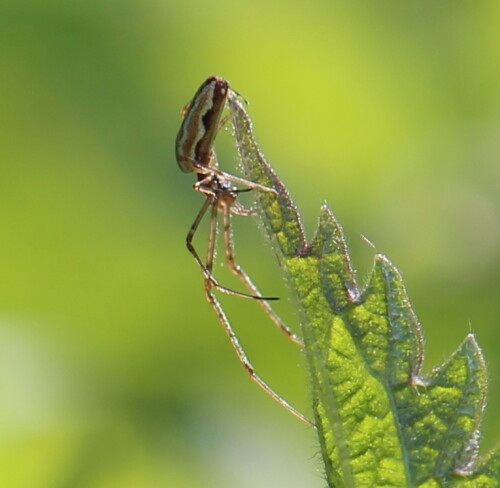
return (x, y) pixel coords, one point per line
(114, 371)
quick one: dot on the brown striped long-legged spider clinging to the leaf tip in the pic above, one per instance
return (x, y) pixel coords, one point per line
(202, 119)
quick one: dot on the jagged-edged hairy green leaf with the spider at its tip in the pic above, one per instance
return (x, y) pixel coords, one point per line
(380, 422)
